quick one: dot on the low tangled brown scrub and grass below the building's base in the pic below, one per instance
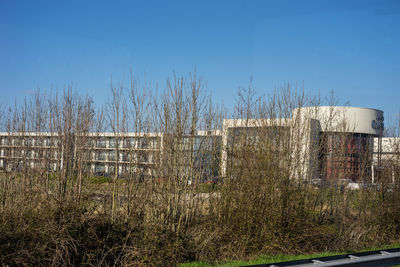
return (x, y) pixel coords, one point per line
(160, 226)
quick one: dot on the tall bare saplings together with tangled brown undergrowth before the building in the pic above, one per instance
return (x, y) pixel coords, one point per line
(263, 205)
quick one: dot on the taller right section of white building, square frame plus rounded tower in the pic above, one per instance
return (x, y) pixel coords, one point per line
(327, 142)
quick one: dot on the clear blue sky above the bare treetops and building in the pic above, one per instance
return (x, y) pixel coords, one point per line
(350, 47)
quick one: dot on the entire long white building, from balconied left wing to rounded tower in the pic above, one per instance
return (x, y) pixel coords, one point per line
(327, 142)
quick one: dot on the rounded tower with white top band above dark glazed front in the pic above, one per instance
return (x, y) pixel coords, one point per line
(346, 137)
